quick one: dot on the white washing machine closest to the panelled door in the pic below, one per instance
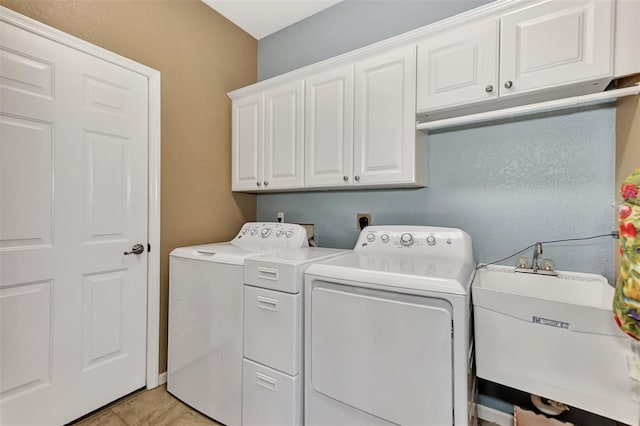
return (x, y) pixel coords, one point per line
(205, 317)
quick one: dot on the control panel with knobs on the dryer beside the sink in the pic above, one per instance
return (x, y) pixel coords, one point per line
(446, 243)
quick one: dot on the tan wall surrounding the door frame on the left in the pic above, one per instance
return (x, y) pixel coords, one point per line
(201, 56)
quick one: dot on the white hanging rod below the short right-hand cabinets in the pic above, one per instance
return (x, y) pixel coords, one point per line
(528, 109)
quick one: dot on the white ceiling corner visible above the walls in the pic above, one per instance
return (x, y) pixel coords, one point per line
(263, 17)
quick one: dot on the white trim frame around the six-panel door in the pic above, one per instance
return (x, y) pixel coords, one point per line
(10, 17)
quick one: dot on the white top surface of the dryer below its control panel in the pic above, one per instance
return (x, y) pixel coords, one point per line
(406, 272)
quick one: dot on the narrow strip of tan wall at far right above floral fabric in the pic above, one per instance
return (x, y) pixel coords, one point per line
(627, 141)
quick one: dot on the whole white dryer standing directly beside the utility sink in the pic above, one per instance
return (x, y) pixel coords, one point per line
(387, 335)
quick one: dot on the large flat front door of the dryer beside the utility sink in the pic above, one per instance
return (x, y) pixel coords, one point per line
(386, 354)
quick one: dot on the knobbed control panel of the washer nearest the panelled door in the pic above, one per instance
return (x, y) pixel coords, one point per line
(272, 234)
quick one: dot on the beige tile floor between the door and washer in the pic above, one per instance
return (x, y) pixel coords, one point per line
(154, 407)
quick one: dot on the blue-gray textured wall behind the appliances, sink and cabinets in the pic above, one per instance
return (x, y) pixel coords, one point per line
(507, 183)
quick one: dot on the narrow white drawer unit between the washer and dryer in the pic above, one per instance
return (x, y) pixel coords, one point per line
(272, 365)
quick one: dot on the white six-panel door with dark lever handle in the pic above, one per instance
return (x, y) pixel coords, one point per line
(73, 170)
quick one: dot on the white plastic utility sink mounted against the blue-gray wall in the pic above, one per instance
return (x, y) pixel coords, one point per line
(554, 337)
